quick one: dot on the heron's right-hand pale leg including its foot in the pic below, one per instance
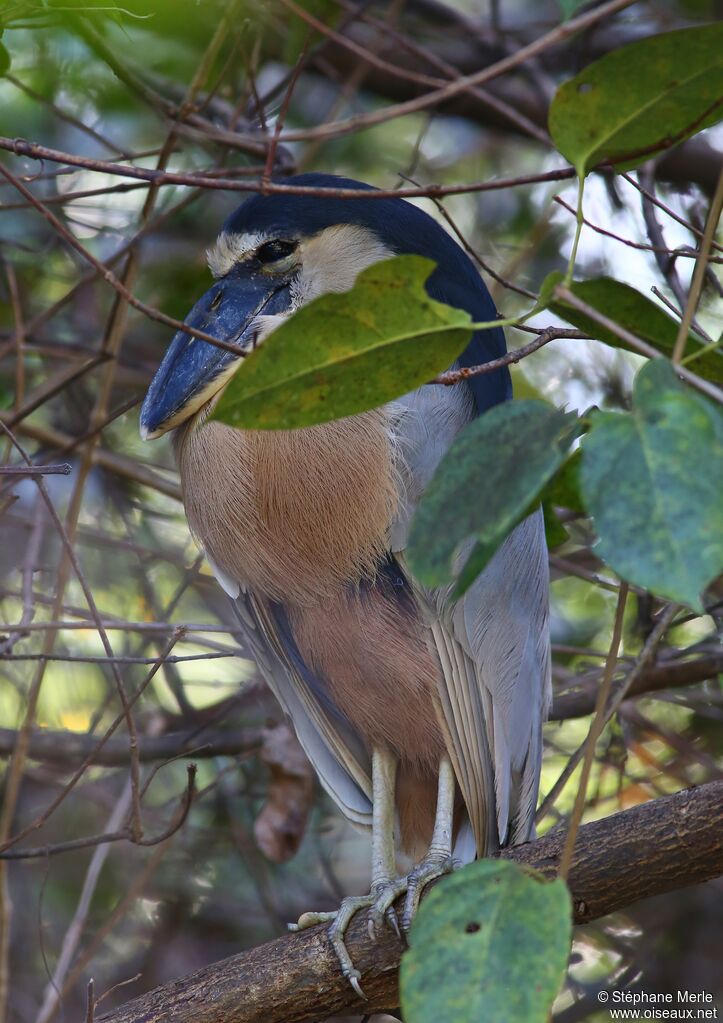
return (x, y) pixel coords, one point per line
(437, 862)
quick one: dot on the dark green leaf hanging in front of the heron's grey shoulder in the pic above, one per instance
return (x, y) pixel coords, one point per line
(488, 481)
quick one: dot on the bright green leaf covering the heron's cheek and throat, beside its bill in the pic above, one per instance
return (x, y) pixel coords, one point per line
(345, 353)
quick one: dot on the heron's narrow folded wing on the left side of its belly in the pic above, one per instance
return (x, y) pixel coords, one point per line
(331, 743)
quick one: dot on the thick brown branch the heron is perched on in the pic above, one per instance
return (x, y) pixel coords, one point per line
(655, 849)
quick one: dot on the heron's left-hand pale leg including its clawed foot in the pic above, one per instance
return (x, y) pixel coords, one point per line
(384, 773)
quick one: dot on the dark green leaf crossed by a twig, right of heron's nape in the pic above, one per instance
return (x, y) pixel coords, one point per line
(638, 315)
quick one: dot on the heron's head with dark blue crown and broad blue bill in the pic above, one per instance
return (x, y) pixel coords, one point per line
(279, 252)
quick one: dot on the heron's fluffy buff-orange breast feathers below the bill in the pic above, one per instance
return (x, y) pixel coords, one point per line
(293, 515)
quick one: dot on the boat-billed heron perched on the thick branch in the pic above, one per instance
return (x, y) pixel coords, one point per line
(422, 717)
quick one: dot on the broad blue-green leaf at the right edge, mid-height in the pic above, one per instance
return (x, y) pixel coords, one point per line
(652, 481)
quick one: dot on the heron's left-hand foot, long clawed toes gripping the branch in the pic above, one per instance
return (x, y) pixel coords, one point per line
(383, 892)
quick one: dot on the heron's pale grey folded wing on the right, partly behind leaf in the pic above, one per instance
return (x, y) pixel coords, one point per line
(493, 646)
